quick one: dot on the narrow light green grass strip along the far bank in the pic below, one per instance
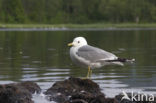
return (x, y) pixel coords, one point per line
(94, 25)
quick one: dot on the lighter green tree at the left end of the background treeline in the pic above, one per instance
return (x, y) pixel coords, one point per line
(13, 11)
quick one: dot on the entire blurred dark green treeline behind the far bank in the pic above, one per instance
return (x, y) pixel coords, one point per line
(77, 11)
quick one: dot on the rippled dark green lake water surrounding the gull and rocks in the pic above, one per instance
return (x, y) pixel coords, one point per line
(43, 57)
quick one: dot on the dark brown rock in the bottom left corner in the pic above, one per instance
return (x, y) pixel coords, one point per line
(18, 92)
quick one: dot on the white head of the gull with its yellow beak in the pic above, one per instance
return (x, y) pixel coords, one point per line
(78, 42)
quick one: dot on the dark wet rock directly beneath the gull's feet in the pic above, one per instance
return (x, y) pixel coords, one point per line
(76, 90)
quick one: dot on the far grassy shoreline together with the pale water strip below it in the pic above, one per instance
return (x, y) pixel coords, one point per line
(77, 27)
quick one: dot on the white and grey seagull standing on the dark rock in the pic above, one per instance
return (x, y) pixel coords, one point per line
(91, 57)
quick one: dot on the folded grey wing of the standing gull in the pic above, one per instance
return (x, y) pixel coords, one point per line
(94, 54)
